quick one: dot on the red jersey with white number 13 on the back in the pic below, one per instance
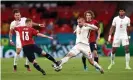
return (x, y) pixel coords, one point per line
(26, 34)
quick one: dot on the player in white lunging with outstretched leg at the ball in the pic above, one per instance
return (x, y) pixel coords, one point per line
(82, 44)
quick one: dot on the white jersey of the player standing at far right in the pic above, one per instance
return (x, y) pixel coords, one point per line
(121, 25)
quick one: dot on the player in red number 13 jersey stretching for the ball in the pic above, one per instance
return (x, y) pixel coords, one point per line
(26, 33)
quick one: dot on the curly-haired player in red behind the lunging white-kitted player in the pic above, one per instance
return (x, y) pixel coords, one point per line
(93, 37)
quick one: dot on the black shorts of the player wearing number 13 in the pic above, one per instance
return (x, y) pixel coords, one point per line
(29, 51)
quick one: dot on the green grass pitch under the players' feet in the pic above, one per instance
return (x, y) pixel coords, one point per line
(73, 70)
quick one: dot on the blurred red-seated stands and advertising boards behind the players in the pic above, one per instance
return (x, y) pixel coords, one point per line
(60, 17)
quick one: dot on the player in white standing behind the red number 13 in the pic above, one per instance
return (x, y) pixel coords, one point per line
(19, 21)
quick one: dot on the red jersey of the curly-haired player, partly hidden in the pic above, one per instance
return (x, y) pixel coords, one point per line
(93, 36)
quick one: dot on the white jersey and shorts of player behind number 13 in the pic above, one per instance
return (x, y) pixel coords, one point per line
(13, 25)
